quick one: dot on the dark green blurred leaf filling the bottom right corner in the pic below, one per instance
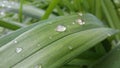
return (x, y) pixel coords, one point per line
(110, 60)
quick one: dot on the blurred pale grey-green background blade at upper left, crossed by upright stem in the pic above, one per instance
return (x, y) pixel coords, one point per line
(27, 10)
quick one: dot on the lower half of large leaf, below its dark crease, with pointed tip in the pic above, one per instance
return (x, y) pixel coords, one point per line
(58, 53)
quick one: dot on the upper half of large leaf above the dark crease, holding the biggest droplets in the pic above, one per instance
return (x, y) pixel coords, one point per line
(42, 36)
